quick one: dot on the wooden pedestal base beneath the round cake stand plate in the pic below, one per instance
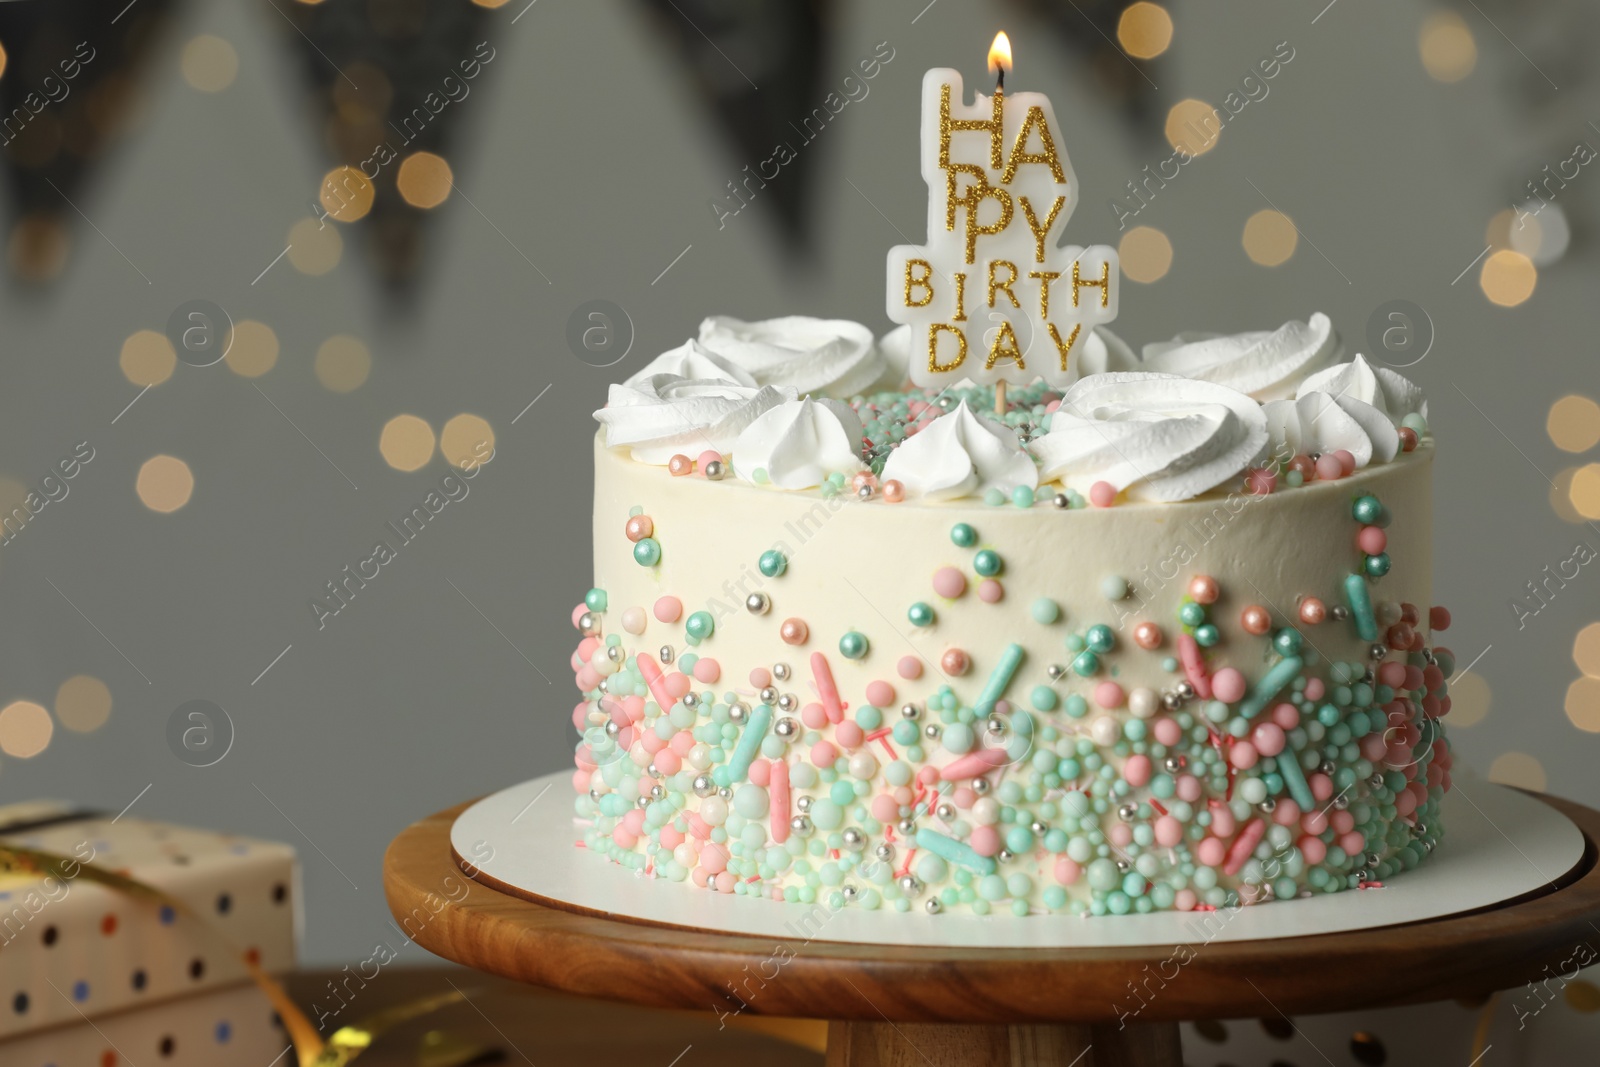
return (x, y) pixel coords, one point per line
(959, 1045)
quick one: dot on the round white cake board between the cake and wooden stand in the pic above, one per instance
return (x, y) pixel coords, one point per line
(1500, 845)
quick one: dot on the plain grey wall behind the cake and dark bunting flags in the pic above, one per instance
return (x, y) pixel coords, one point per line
(598, 166)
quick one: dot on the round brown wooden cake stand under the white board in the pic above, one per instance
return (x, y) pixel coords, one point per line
(943, 1007)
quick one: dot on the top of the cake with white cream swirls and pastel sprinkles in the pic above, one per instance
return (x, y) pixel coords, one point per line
(815, 406)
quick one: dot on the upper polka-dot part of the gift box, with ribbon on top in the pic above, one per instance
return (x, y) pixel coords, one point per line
(74, 949)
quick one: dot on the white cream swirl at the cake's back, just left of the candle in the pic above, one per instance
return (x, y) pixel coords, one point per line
(822, 358)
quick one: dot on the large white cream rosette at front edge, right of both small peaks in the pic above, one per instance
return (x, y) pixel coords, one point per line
(1161, 438)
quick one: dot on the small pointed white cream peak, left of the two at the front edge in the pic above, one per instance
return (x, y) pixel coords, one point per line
(799, 444)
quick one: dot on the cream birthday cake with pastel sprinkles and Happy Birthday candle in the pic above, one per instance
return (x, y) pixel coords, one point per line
(1010, 617)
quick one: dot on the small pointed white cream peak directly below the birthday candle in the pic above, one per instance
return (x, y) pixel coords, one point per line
(961, 455)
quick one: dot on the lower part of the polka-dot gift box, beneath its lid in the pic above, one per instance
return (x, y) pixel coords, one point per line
(218, 1028)
